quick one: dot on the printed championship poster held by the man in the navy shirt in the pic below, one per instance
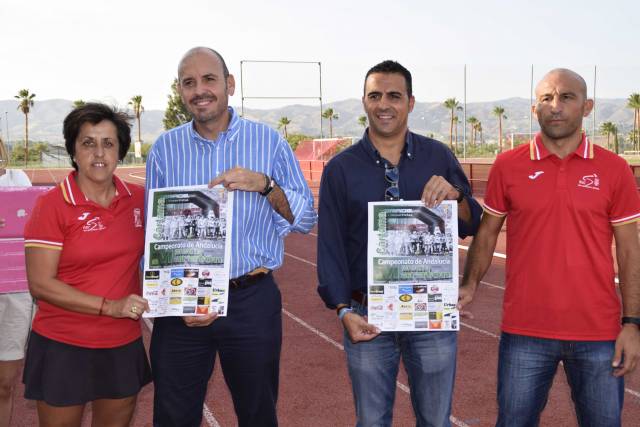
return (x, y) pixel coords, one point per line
(413, 266)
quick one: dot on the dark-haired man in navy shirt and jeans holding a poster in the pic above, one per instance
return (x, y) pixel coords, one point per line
(388, 163)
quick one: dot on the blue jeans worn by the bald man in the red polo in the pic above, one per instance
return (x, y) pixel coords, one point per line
(526, 368)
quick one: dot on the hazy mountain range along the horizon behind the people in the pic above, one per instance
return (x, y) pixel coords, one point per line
(431, 118)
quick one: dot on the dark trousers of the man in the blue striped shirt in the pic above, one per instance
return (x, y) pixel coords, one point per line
(248, 342)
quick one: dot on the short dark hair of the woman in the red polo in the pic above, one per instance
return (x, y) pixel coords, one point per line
(95, 113)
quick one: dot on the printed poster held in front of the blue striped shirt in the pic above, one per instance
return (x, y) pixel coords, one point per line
(187, 251)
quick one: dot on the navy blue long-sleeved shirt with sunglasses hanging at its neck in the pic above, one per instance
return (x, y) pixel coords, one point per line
(355, 177)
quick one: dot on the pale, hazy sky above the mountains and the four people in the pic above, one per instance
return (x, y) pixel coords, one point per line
(112, 50)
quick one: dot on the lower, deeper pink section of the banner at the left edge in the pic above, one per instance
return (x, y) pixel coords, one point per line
(13, 276)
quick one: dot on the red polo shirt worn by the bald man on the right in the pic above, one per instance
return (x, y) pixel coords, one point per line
(560, 219)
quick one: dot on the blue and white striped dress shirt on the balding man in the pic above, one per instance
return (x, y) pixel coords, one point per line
(182, 157)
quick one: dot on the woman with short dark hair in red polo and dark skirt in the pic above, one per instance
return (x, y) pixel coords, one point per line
(84, 242)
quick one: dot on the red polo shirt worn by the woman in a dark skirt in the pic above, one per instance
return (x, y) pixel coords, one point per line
(101, 250)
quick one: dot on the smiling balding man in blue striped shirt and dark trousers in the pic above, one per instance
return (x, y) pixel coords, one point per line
(272, 199)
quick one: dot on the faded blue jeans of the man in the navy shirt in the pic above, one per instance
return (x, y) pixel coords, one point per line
(430, 361)
